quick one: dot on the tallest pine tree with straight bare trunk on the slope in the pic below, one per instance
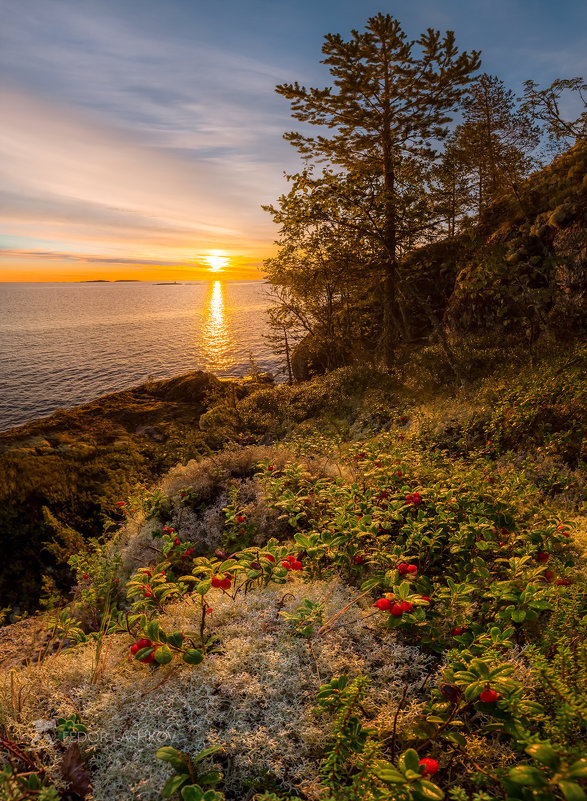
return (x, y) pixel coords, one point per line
(390, 100)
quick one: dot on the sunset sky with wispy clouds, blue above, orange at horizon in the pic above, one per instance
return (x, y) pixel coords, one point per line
(139, 138)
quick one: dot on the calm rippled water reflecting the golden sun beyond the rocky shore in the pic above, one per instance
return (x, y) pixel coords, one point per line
(65, 344)
